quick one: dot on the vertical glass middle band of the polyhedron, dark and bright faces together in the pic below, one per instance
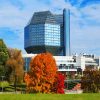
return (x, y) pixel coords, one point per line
(42, 34)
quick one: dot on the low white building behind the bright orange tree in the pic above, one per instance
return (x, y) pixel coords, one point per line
(69, 63)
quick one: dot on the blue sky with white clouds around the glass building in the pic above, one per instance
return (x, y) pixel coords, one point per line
(85, 21)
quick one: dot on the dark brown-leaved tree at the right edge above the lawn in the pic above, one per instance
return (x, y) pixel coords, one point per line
(91, 81)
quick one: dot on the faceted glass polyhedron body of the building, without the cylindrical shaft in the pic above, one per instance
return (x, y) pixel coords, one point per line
(42, 34)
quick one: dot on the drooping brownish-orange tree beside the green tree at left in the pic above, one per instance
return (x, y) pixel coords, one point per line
(14, 66)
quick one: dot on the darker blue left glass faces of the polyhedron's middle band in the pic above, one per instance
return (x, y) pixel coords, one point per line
(34, 35)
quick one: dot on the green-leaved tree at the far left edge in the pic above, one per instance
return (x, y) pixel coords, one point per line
(3, 57)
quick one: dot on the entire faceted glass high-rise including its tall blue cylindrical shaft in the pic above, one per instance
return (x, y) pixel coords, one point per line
(47, 32)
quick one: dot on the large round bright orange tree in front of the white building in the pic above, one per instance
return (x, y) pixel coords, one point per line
(42, 73)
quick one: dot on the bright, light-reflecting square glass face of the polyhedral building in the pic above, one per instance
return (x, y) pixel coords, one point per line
(52, 35)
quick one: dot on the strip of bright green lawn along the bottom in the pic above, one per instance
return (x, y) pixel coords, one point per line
(50, 96)
